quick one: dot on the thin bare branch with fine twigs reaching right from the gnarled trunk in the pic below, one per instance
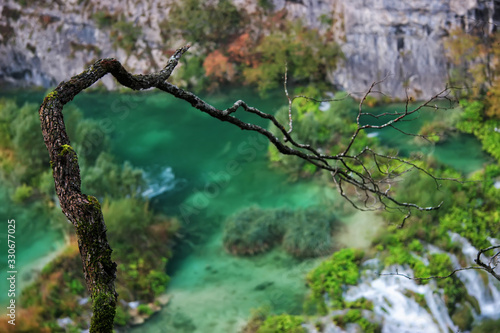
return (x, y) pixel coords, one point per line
(345, 173)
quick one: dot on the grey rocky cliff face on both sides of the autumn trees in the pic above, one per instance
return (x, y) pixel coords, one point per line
(43, 42)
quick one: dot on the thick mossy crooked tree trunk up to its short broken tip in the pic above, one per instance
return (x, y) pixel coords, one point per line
(84, 211)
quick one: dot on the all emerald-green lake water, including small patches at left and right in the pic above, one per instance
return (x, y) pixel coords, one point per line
(218, 170)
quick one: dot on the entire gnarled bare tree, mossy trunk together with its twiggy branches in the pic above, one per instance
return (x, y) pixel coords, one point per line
(84, 210)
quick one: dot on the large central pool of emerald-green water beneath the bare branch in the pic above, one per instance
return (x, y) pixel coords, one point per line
(222, 169)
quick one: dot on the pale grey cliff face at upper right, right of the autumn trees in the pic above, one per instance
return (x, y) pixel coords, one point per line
(402, 39)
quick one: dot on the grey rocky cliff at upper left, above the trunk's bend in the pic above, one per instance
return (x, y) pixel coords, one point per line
(46, 42)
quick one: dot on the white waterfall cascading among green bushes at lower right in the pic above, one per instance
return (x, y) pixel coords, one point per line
(393, 301)
